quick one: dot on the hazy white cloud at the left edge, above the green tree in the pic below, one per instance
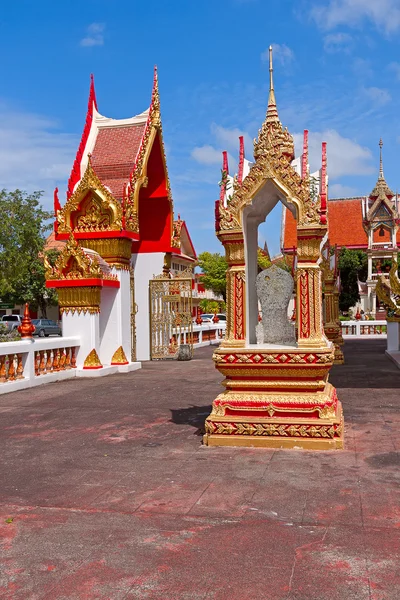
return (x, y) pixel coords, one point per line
(34, 155)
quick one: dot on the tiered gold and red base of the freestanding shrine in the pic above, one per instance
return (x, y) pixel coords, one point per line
(276, 398)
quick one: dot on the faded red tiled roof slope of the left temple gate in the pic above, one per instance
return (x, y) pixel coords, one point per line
(114, 154)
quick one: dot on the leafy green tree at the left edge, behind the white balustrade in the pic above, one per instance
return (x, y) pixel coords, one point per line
(23, 227)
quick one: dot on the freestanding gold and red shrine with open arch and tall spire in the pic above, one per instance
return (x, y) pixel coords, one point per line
(275, 396)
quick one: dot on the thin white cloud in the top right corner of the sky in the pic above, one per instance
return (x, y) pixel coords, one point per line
(384, 14)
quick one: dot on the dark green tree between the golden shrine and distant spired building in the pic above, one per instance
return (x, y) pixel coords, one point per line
(353, 265)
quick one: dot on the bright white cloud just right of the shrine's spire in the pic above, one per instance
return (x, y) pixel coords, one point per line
(345, 156)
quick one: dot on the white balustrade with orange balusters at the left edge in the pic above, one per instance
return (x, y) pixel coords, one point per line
(27, 363)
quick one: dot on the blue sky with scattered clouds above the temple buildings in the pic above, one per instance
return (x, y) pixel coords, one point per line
(337, 73)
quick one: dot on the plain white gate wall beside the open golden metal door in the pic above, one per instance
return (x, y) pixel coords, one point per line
(145, 267)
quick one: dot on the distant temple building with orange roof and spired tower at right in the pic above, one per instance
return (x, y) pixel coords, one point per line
(363, 223)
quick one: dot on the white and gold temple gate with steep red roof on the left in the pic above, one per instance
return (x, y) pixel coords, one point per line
(119, 233)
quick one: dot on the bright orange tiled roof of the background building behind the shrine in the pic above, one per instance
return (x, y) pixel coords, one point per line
(345, 224)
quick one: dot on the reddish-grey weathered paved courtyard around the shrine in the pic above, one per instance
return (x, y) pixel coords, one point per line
(107, 493)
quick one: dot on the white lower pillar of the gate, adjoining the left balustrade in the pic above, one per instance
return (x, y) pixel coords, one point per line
(87, 328)
